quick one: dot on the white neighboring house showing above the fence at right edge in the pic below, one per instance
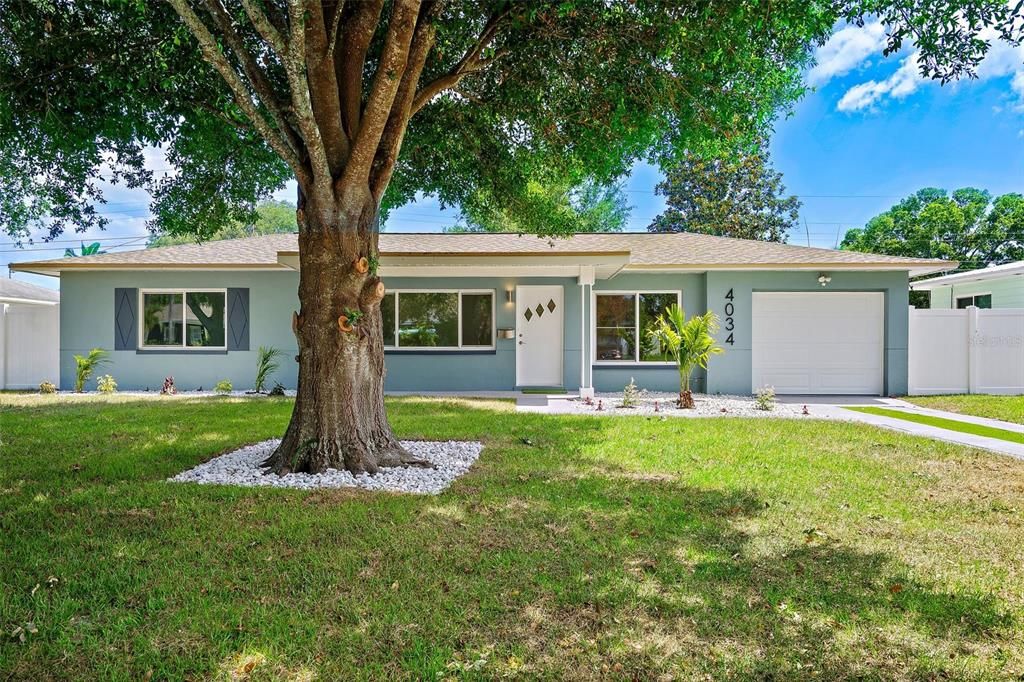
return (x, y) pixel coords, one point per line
(998, 287)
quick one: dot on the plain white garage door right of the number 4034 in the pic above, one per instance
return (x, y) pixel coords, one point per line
(820, 343)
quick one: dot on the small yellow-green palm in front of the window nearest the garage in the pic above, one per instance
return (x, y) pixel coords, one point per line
(691, 344)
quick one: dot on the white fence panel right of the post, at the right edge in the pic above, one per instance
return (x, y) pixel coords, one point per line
(999, 346)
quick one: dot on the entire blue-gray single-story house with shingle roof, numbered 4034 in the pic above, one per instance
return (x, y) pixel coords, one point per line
(496, 312)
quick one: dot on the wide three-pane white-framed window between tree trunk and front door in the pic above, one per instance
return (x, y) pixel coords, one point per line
(439, 320)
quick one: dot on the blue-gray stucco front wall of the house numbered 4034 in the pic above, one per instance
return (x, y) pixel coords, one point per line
(88, 322)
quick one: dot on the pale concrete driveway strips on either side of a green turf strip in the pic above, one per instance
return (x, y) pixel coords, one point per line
(838, 411)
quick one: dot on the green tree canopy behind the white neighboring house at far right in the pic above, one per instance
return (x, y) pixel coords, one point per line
(968, 227)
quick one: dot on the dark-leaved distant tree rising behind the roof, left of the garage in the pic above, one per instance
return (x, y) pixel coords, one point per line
(728, 195)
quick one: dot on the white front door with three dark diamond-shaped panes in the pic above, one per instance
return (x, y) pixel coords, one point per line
(539, 335)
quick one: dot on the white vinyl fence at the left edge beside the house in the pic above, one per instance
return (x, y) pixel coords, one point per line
(30, 343)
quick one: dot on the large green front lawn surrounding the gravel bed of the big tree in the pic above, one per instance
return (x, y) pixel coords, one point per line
(608, 548)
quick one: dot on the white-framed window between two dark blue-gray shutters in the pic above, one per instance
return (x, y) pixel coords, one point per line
(184, 319)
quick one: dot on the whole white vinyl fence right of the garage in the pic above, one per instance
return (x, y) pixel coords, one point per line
(967, 352)
